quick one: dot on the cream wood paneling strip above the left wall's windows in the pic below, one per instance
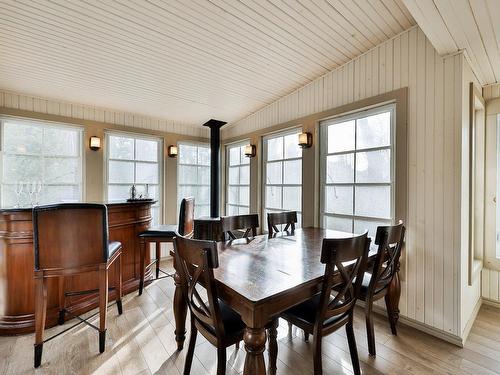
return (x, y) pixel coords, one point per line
(78, 111)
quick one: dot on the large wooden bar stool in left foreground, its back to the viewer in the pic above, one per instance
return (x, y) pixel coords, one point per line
(72, 239)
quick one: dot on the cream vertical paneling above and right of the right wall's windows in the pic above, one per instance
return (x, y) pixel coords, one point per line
(430, 284)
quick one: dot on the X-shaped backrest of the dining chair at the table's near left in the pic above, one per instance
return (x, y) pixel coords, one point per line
(197, 260)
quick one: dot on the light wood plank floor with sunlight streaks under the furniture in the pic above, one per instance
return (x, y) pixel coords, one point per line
(141, 341)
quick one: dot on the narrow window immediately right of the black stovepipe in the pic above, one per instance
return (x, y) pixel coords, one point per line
(238, 181)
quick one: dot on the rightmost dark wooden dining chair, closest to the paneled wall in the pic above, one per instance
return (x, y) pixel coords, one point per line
(376, 281)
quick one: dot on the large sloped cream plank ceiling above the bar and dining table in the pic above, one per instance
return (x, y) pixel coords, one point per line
(184, 60)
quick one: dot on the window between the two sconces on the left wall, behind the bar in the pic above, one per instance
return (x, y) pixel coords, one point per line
(134, 160)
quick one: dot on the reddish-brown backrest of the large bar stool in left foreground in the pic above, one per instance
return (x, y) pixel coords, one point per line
(70, 235)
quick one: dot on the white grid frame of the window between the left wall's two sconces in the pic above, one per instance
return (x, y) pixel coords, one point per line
(136, 136)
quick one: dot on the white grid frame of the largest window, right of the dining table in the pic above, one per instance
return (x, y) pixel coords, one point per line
(323, 152)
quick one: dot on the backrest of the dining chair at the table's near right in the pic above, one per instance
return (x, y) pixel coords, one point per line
(345, 260)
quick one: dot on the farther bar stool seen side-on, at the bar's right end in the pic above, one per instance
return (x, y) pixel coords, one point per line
(165, 233)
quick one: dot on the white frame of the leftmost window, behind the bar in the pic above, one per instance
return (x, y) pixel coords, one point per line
(45, 124)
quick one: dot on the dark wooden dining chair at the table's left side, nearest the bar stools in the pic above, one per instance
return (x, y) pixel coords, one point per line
(215, 320)
